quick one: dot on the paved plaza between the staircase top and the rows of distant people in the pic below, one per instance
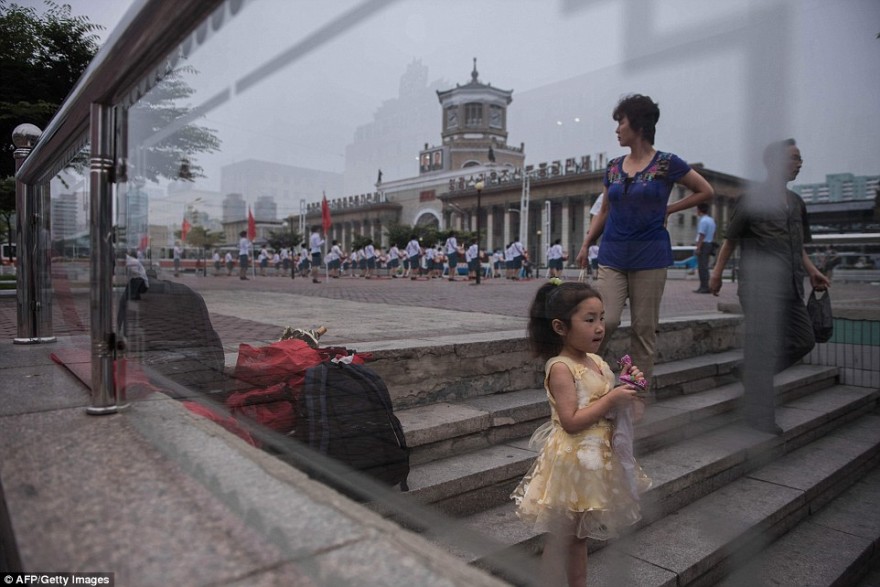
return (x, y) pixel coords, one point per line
(357, 310)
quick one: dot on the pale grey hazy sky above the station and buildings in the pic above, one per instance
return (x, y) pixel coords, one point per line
(728, 74)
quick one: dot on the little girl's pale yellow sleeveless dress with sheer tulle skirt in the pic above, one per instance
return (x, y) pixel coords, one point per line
(577, 485)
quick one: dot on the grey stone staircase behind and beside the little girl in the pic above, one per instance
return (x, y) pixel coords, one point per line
(729, 504)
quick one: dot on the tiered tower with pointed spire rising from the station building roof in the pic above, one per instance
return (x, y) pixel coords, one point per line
(474, 127)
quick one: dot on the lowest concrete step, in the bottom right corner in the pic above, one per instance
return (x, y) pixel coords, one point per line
(832, 546)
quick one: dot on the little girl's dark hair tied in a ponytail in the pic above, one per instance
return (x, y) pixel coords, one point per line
(554, 302)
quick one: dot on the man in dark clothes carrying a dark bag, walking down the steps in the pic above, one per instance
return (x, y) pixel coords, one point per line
(770, 227)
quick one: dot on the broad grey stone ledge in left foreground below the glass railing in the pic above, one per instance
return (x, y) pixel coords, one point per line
(159, 496)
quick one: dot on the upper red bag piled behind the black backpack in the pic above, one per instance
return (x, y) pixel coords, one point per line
(275, 363)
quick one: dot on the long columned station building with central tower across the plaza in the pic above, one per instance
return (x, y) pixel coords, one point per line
(537, 203)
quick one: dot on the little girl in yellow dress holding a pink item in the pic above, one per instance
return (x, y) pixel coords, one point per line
(577, 488)
